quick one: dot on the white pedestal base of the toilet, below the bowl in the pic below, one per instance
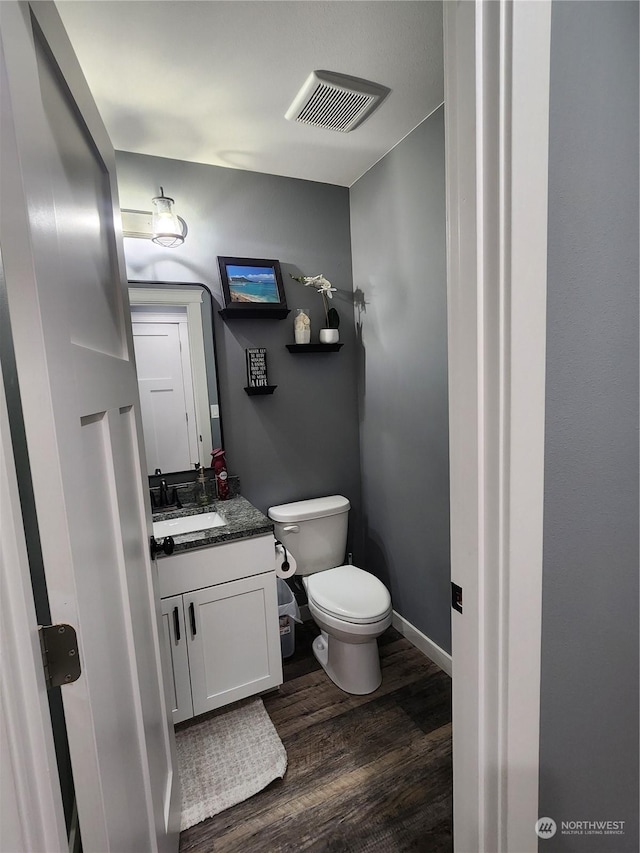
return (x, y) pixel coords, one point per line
(353, 667)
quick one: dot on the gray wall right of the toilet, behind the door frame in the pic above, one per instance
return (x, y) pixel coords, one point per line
(399, 274)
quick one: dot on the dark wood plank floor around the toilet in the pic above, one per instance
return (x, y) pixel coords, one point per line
(366, 774)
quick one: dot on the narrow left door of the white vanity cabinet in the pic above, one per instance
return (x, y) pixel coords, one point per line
(175, 640)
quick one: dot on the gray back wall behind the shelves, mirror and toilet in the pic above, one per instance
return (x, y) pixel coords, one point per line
(302, 441)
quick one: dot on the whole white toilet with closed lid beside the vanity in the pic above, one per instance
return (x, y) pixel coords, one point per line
(351, 607)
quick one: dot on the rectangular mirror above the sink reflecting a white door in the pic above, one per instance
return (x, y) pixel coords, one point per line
(177, 377)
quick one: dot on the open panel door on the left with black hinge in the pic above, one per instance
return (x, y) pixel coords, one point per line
(69, 313)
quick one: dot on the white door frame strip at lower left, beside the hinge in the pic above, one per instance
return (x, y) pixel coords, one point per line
(34, 818)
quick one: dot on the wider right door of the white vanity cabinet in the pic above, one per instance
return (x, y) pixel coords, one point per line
(234, 641)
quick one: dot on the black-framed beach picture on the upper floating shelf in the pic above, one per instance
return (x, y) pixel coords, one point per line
(251, 283)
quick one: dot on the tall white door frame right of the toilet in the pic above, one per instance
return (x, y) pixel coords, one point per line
(496, 135)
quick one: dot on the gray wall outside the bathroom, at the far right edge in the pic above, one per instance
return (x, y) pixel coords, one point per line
(589, 701)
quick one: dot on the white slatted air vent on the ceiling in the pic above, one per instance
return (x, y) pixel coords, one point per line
(335, 101)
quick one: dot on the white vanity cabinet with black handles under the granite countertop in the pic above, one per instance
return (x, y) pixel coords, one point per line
(221, 626)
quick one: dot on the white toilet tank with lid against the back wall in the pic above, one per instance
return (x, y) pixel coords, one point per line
(313, 531)
